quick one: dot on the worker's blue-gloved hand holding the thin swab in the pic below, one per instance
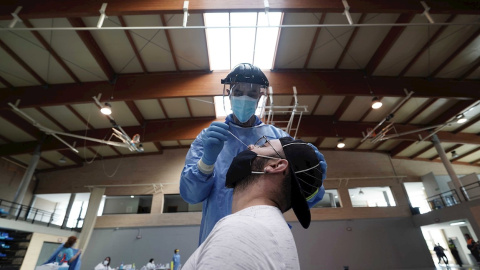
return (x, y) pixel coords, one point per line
(213, 141)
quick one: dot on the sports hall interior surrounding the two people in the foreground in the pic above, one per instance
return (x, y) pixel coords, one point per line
(388, 92)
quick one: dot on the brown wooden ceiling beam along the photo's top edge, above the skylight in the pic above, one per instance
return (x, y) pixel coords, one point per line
(70, 8)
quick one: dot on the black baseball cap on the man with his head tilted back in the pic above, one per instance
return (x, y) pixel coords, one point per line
(305, 174)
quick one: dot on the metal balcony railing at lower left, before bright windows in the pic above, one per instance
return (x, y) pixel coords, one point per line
(34, 215)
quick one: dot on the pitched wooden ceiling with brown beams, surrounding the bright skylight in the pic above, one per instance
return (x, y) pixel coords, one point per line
(163, 87)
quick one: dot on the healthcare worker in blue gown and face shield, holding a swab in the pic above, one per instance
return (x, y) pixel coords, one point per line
(210, 155)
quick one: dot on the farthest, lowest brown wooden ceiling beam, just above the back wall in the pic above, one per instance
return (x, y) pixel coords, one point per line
(189, 128)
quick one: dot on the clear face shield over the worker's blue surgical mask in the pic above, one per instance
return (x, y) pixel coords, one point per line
(244, 99)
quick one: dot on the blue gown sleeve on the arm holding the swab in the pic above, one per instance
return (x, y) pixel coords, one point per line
(195, 186)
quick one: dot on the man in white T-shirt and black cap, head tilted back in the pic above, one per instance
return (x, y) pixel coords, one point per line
(267, 181)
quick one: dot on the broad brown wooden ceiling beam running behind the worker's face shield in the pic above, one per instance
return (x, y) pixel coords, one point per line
(190, 84)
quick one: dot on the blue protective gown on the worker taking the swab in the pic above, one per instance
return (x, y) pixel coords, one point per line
(196, 187)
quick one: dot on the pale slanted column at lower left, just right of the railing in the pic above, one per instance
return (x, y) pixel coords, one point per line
(90, 217)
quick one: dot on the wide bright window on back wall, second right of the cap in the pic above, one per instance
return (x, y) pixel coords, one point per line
(371, 197)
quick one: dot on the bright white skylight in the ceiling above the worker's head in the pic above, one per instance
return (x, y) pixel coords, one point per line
(229, 47)
